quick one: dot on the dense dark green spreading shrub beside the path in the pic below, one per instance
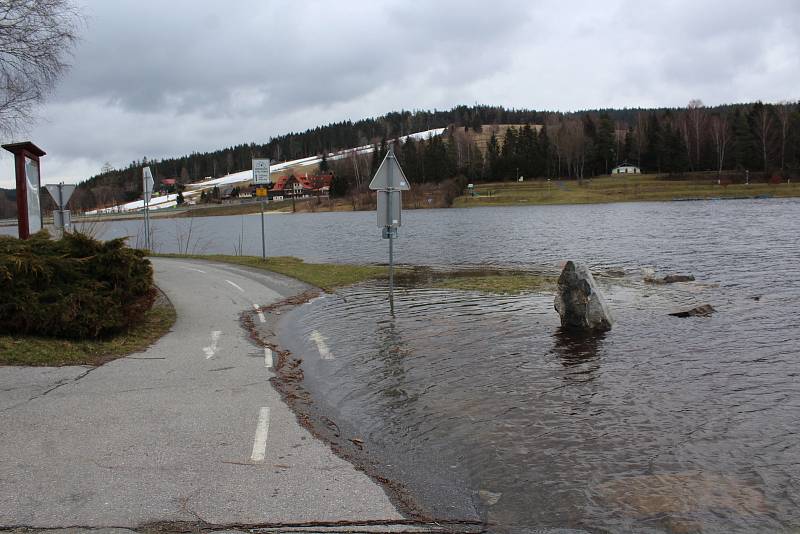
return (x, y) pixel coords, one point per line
(76, 287)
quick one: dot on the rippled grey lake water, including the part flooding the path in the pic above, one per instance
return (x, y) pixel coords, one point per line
(660, 425)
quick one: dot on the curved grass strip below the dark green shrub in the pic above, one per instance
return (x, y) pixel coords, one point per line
(42, 351)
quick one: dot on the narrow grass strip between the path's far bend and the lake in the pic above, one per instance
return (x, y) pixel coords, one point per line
(326, 276)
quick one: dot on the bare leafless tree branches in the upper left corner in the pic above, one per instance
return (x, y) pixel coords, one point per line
(36, 36)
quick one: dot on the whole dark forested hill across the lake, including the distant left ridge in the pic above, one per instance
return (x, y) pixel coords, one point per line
(756, 136)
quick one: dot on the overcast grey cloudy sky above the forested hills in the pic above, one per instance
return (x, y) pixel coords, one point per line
(161, 79)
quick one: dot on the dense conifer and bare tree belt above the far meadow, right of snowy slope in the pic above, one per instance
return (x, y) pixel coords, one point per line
(763, 139)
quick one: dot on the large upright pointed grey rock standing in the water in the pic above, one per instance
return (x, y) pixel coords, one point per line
(578, 302)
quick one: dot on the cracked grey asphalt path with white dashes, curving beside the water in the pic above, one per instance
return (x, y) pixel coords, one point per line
(188, 430)
